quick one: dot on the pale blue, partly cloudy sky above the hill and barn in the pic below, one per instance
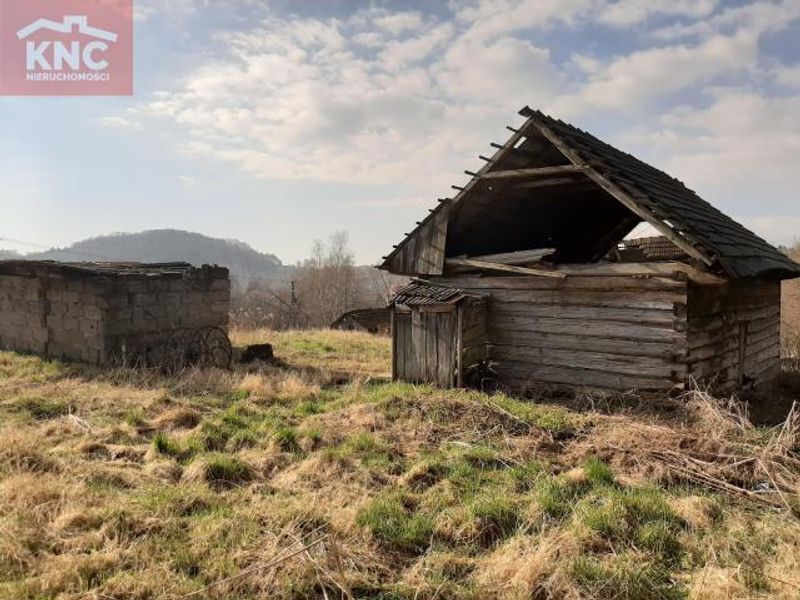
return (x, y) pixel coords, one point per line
(277, 122)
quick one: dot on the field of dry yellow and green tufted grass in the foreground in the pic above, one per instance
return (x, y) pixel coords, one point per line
(321, 479)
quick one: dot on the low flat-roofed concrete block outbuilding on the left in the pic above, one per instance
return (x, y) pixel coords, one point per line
(104, 313)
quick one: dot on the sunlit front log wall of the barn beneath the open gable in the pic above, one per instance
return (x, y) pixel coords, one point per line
(605, 332)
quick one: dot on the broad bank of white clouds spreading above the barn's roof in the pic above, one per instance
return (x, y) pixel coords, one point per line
(407, 100)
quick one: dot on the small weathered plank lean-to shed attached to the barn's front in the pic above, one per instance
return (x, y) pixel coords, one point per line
(438, 334)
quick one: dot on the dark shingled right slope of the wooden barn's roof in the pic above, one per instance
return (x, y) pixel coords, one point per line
(739, 251)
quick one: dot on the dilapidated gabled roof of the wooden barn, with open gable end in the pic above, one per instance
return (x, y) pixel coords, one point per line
(553, 185)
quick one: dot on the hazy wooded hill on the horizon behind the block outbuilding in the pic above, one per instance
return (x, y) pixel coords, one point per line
(171, 245)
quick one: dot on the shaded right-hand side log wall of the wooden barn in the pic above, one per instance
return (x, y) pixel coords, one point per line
(734, 333)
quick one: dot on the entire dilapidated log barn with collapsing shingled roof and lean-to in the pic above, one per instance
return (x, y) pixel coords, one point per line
(526, 273)
